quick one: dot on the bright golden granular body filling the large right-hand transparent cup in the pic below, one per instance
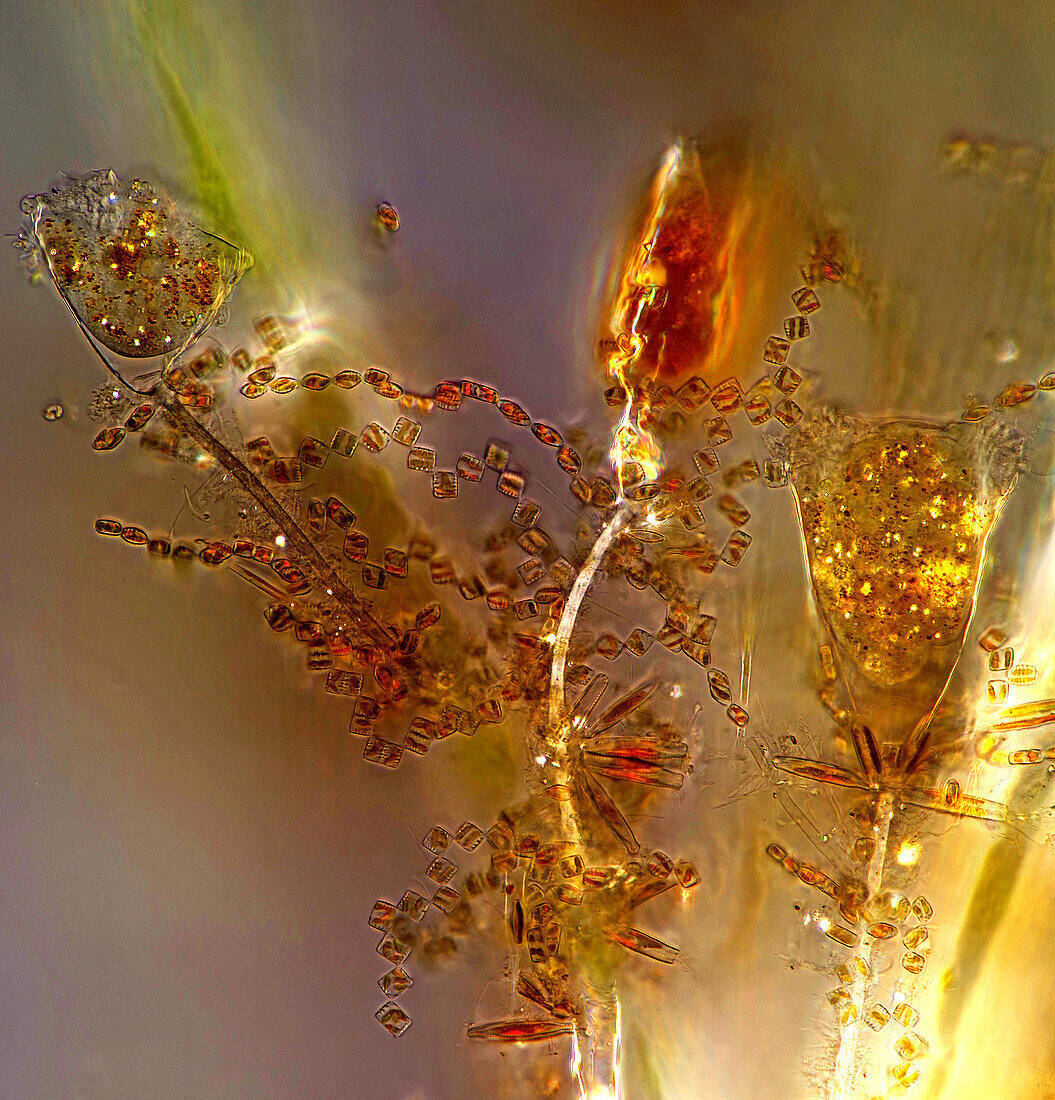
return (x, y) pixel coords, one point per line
(895, 516)
